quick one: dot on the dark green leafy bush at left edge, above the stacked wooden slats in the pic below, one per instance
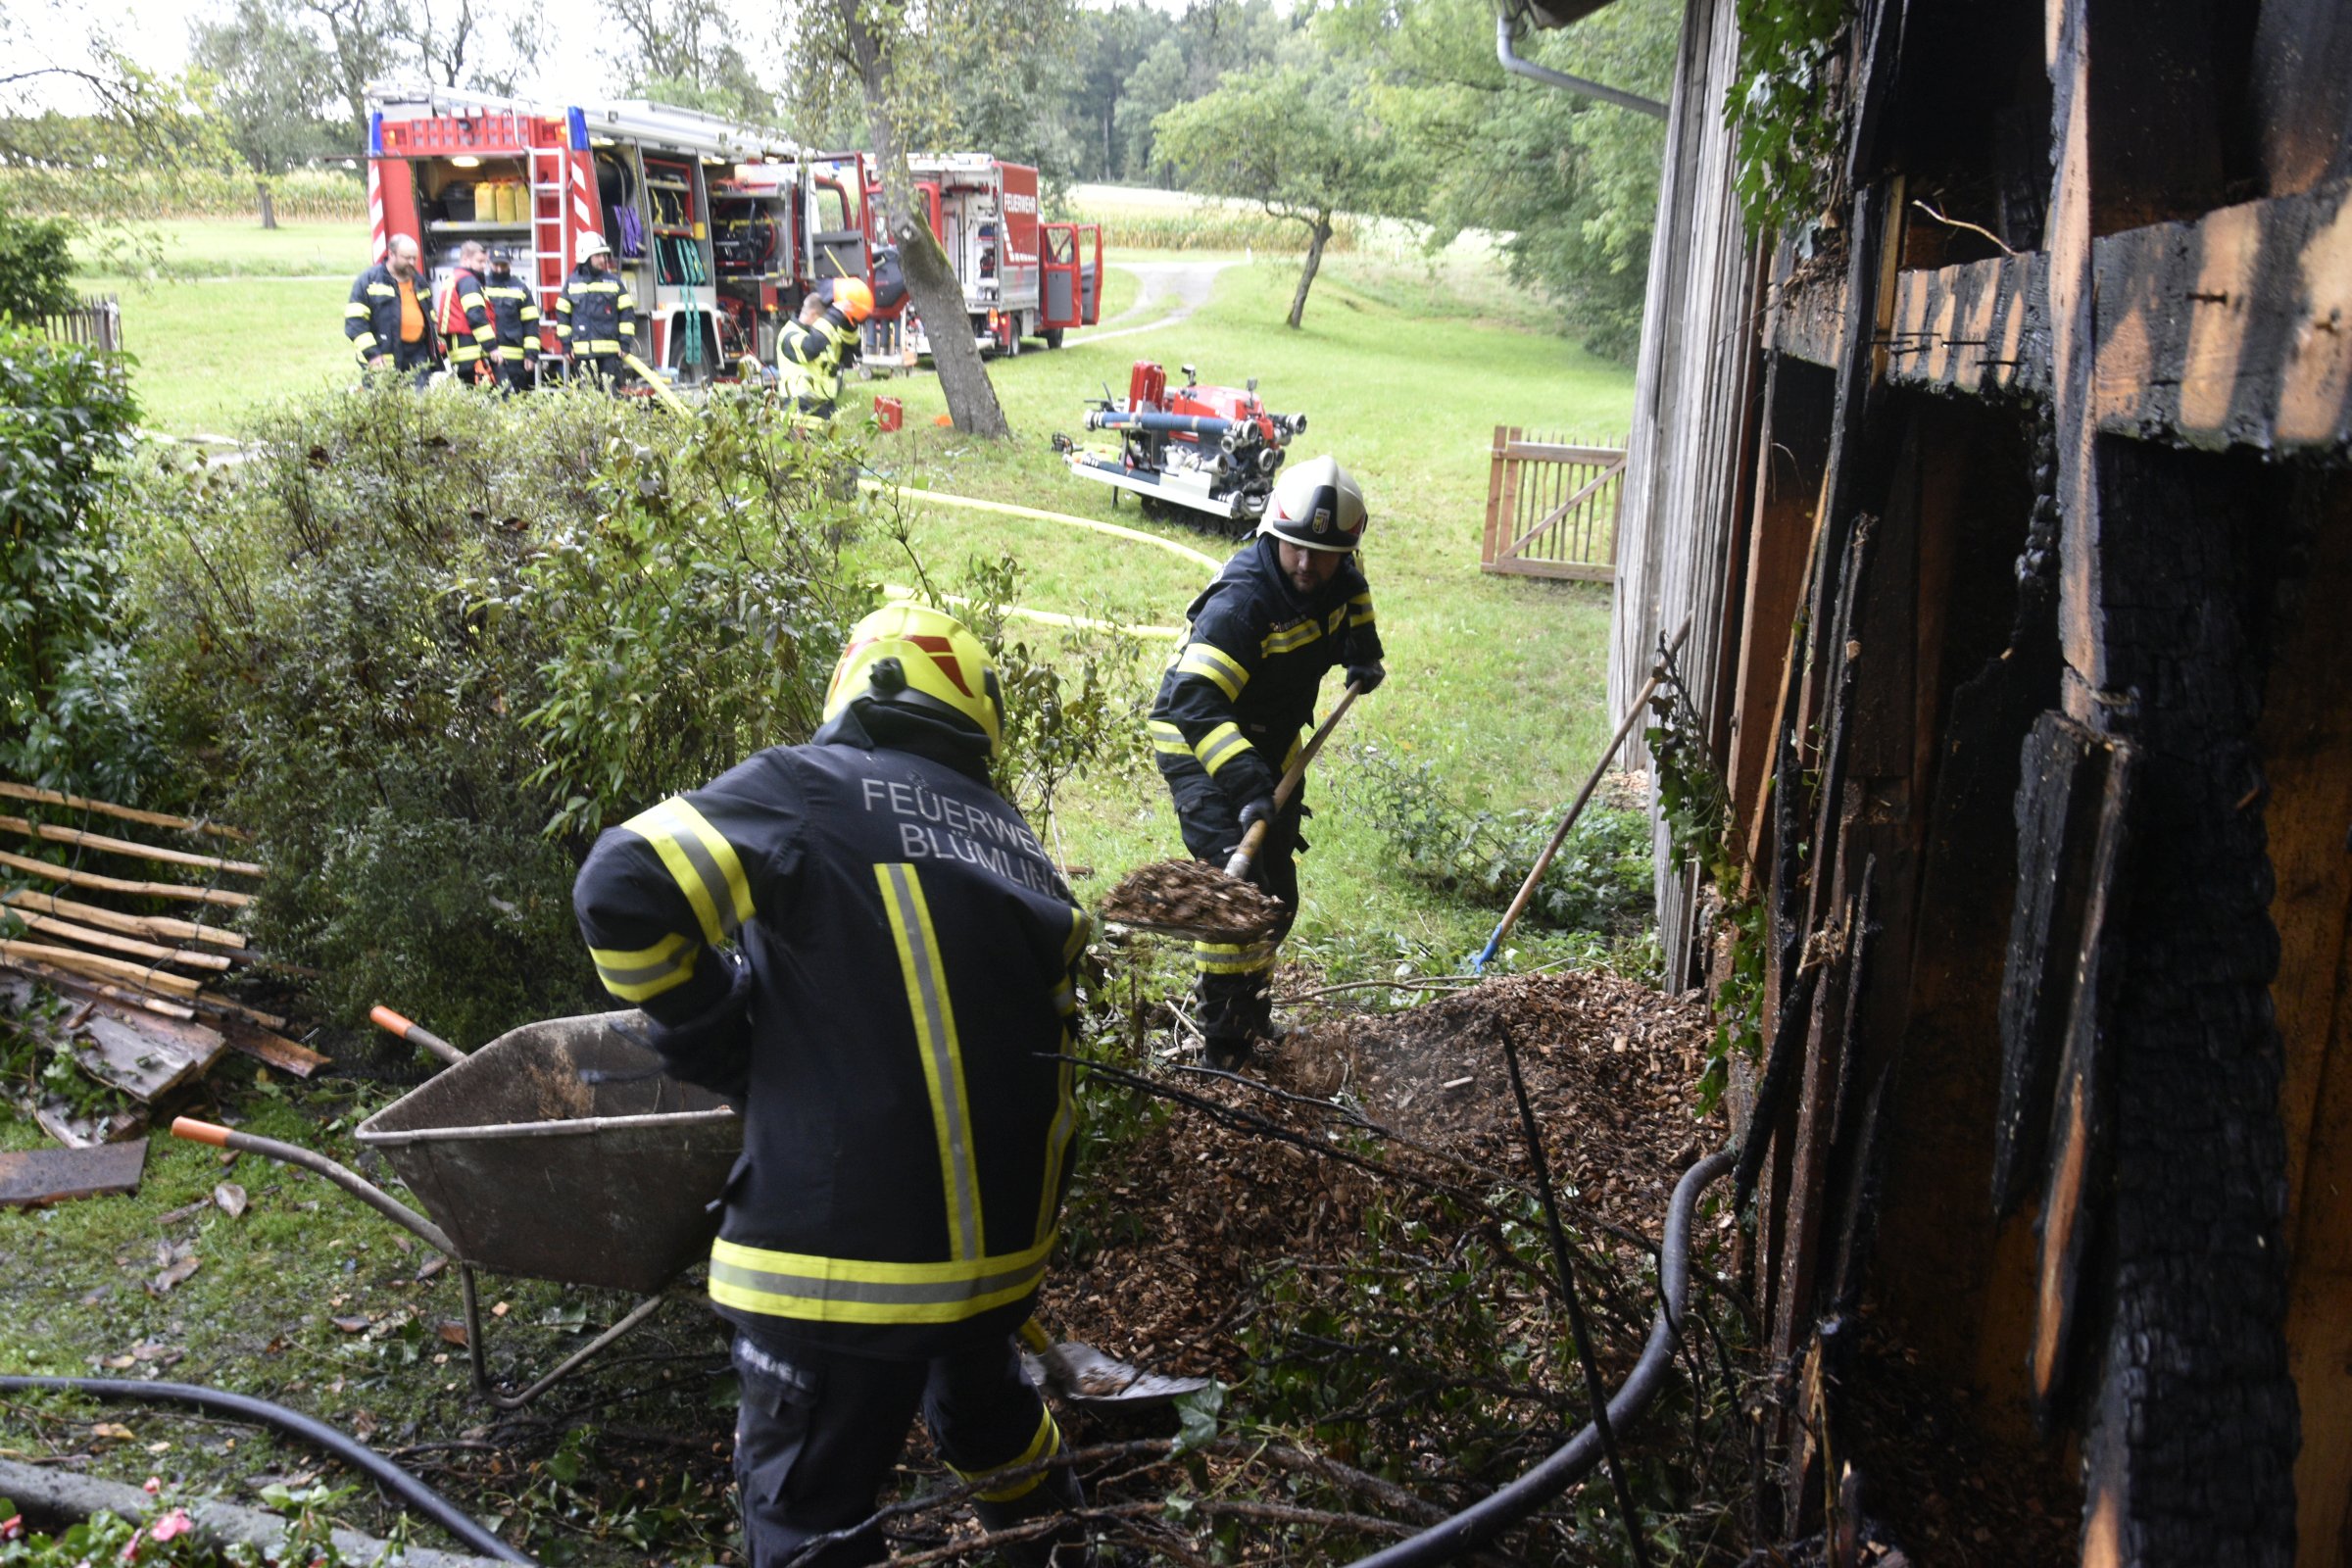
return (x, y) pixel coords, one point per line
(67, 424)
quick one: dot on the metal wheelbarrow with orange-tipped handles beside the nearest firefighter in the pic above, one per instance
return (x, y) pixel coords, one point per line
(561, 1153)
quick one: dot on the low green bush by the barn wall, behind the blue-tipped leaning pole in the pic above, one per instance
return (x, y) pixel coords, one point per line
(1601, 880)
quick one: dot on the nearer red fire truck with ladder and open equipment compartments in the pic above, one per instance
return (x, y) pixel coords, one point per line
(716, 227)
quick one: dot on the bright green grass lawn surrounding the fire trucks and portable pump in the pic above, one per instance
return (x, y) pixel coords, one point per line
(1405, 368)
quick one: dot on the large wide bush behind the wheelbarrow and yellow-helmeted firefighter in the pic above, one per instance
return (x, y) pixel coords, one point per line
(425, 648)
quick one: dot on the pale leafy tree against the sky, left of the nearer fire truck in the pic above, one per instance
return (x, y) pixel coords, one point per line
(272, 83)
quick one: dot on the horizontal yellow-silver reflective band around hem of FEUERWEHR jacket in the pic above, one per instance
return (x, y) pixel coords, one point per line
(860, 1292)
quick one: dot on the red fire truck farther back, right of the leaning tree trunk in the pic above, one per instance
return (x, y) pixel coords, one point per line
(1022, 279)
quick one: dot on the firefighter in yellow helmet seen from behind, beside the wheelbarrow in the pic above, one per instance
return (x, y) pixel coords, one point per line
(864, 949)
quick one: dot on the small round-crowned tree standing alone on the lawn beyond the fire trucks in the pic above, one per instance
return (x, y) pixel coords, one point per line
(1292, 140)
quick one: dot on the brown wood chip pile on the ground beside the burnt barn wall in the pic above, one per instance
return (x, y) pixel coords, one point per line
(1212, 1212)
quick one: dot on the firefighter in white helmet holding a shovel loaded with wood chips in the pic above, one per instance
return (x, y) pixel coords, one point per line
(1234, 709)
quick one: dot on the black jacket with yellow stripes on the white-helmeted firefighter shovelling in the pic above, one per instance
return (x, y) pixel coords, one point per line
(1245, 676)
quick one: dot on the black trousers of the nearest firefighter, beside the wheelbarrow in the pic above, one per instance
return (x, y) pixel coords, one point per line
(817, 1438)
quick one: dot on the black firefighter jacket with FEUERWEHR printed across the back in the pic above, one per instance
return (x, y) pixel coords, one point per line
(909, 974)
